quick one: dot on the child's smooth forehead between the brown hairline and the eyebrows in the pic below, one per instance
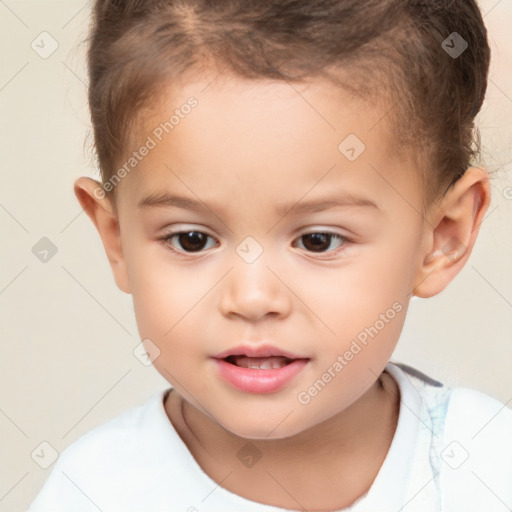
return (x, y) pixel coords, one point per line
(248, 137)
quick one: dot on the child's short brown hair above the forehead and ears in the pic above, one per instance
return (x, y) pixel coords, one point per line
(394, 50)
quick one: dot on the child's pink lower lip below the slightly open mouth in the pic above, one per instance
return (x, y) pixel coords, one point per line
(252, 380)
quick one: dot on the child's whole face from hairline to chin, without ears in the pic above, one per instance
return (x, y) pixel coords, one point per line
(288, 234)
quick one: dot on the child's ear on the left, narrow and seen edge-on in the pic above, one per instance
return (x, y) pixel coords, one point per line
(91, 197)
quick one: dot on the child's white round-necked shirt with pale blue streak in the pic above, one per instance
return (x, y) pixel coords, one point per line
(451, 452)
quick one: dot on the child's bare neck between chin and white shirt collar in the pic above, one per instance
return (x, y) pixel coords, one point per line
(362, 434)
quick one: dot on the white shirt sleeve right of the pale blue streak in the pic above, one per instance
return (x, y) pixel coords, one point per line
(476, 452)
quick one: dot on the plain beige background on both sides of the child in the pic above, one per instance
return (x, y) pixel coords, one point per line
(68, 333)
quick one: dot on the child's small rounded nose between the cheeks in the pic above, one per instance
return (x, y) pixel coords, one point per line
(254, 291)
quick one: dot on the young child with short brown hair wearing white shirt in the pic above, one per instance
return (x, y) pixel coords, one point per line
(235, 139)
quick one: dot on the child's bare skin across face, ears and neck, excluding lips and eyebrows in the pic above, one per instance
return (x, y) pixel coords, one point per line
(247, 148)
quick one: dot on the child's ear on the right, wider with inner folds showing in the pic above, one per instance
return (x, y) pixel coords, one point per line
(456, 221)
